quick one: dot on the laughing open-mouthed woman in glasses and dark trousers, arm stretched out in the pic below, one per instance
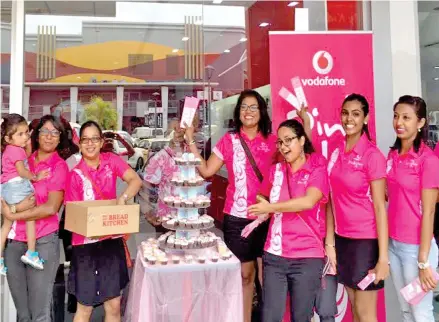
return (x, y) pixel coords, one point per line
(294, 252)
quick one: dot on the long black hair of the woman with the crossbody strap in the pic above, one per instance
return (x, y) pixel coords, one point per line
(264, 124)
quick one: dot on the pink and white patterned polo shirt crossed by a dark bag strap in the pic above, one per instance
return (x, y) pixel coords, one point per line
(243, 183)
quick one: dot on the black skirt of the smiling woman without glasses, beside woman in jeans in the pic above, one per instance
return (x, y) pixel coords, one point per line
(355, 257)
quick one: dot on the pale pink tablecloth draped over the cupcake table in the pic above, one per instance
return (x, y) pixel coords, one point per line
(209, 292)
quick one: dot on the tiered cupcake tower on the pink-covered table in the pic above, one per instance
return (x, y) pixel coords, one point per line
(188, 197)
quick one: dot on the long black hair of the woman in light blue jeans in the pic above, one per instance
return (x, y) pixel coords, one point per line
(420, 108)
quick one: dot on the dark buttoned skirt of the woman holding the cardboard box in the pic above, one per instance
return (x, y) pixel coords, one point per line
(98, 272)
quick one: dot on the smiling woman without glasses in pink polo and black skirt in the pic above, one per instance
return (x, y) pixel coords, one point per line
(357, 233)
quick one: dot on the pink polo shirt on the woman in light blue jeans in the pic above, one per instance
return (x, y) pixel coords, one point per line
(407, 176)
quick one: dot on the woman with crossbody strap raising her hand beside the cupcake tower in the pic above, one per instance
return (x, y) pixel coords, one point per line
(253, 129)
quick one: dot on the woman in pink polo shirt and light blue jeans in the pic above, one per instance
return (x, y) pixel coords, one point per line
(412, 183)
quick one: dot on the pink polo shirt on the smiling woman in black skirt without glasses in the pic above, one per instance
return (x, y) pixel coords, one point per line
(350, 177)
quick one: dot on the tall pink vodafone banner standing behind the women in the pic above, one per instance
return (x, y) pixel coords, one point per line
(322, 69)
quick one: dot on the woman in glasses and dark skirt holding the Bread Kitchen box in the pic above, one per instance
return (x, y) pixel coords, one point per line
(98, 270)
